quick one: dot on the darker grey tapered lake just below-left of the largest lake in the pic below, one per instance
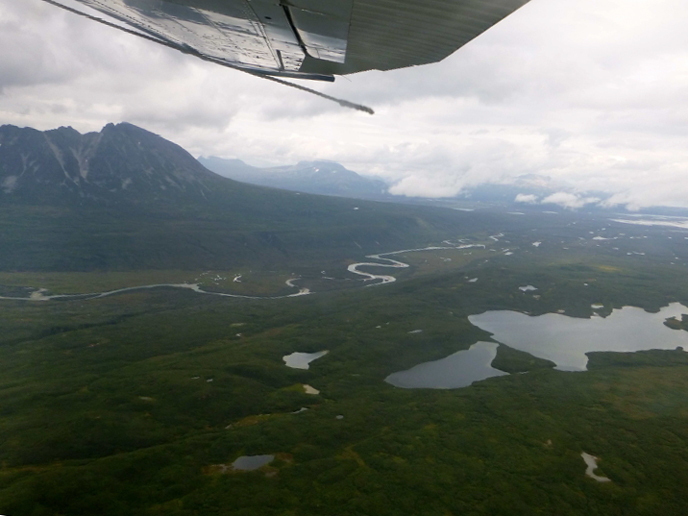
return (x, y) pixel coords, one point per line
(457, 370)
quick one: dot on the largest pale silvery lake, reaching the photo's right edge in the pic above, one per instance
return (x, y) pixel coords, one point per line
(565, 340)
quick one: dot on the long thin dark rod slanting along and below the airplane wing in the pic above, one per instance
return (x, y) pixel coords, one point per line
(185, 49)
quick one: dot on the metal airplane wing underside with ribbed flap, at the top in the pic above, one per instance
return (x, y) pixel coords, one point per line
(312, 39)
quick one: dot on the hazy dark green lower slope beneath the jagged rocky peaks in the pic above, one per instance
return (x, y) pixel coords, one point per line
(265, 228)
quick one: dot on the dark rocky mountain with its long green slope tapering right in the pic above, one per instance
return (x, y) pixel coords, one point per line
(124, 198)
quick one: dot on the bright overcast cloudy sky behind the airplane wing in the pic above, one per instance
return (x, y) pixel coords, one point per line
(593, 93)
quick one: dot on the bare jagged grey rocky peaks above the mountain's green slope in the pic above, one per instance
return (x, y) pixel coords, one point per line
(120, 163)
